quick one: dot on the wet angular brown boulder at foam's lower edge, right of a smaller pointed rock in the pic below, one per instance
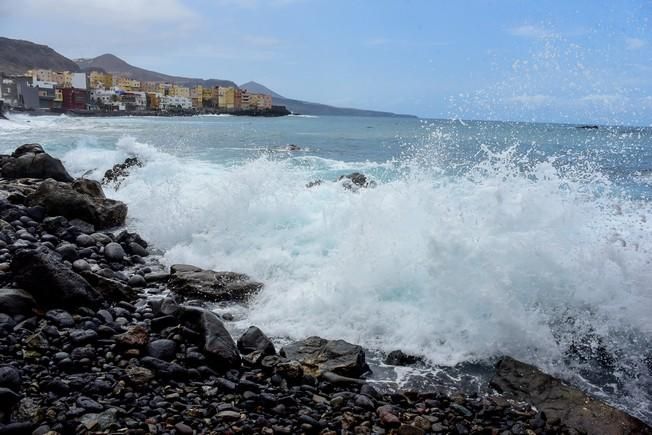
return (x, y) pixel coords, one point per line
(318, 355)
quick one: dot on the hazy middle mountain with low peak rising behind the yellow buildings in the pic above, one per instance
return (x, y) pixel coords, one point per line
(114, 65)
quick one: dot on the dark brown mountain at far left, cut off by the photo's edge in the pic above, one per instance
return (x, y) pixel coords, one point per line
(17, 56)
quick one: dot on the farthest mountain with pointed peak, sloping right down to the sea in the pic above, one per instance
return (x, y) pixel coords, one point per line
(307, 108)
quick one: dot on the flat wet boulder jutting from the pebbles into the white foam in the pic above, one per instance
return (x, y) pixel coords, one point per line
(212, 286)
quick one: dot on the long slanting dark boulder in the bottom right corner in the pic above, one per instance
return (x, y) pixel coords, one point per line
(523, 382)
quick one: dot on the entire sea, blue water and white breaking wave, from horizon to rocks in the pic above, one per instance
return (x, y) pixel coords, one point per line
(480, 239)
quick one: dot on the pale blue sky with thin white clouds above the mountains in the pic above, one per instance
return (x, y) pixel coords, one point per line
(556, 60)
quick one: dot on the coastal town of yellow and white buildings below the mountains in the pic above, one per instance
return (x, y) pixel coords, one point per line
(101, 93)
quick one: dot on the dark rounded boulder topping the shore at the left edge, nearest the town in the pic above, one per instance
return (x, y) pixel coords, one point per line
(30, 161)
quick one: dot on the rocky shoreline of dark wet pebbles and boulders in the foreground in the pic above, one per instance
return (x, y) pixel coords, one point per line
(97, 337)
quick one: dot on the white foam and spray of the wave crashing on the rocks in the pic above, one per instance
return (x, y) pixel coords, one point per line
(497, 261)
